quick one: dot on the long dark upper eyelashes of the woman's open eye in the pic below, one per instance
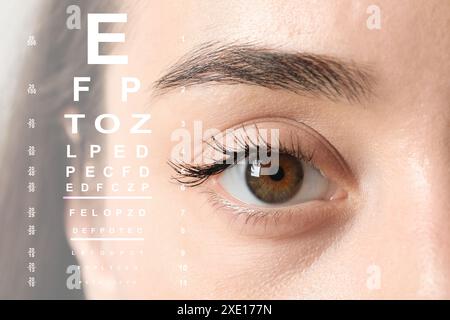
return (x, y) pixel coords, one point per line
(192, 175)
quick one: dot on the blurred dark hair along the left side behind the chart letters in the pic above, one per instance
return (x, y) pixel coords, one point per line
(60, 55)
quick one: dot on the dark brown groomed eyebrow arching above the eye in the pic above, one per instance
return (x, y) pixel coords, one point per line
(302, 73)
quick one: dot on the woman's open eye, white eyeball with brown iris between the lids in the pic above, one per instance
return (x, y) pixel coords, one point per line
(294, 182)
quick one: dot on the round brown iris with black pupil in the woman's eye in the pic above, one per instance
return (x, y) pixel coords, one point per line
(279, 187)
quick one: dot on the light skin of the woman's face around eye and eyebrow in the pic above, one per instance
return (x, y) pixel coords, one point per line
(394, 219)
